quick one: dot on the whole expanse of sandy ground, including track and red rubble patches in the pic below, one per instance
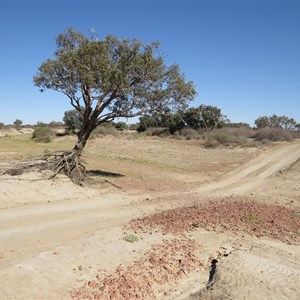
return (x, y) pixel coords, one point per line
(60, 241)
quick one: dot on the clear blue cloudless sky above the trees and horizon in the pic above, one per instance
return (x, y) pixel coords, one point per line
(242, 55)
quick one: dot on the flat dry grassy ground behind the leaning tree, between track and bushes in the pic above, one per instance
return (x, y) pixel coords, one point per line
(139, 157)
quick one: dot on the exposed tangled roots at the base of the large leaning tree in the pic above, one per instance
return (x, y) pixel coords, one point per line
(65, 162)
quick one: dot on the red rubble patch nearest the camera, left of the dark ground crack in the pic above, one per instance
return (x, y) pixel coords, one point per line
(164, 263)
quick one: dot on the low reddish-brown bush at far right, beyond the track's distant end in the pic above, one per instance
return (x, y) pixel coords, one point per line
(273, 134)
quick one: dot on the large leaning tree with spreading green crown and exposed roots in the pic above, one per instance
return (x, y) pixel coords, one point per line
(107, 79)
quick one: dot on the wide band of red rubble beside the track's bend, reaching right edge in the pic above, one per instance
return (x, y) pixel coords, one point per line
(261, 220)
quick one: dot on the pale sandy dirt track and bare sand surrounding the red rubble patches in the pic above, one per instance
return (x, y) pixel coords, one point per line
(52, 247)
